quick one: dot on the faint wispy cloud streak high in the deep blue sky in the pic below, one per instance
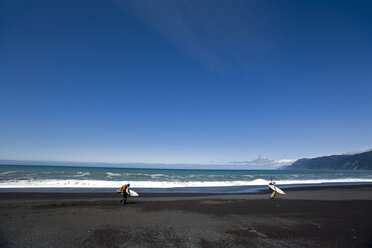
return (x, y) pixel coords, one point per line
(221, 35)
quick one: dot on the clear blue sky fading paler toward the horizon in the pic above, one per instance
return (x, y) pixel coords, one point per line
(198, 82)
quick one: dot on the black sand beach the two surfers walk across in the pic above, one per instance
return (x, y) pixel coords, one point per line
(305, 217)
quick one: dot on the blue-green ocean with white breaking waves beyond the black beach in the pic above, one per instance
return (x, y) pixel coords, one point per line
(27, 178)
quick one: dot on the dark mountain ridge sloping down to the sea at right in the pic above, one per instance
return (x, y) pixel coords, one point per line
(361, 161)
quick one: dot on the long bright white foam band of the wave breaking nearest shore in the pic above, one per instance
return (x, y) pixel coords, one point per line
(73, 183)
